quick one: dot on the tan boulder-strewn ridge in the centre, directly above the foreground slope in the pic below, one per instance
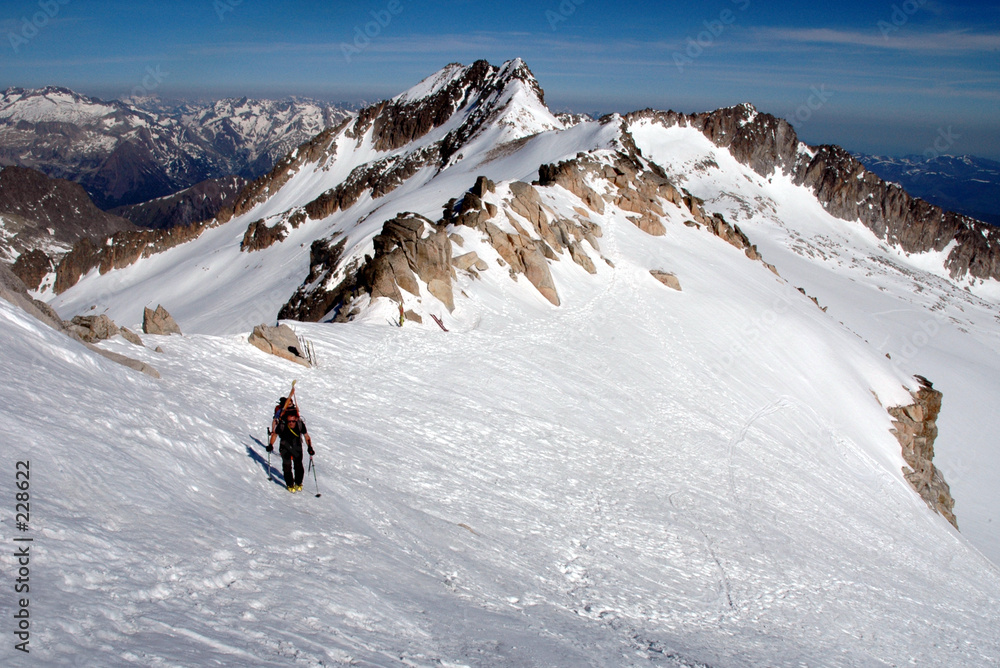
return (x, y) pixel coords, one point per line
(515, 220)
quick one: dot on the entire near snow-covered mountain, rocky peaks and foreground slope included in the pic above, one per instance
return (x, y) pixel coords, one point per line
(656, 430)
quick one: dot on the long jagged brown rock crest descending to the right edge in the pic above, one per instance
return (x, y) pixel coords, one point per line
(845, 188)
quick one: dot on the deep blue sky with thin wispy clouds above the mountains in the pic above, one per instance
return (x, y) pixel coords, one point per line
(891, 77)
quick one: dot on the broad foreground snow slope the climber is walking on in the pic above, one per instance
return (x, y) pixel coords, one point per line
(605, 483)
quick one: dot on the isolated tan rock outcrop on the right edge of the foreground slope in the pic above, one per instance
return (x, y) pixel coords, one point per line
(915, 427)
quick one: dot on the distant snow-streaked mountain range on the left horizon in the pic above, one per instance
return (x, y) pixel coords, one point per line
(131, 152)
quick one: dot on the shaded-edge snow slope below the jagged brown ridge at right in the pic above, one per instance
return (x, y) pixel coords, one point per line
(904, 306)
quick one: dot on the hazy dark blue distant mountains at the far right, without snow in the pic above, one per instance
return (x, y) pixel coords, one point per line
(964, 184)
